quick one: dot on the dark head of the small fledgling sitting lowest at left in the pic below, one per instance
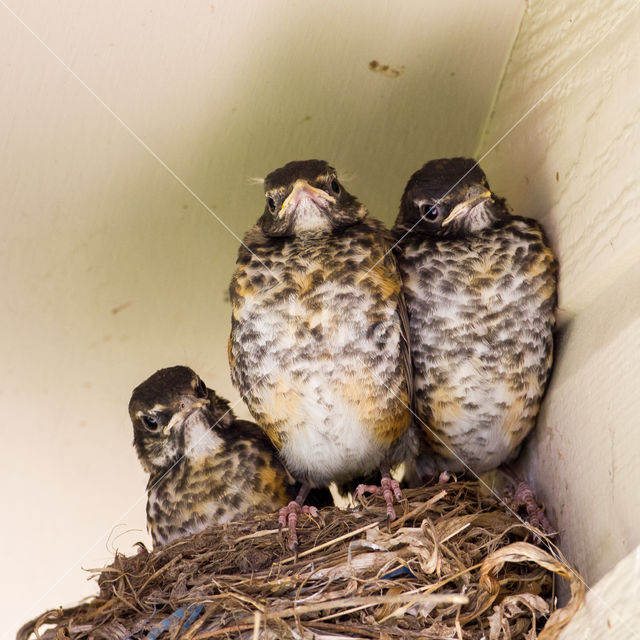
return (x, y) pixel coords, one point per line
(174, 414)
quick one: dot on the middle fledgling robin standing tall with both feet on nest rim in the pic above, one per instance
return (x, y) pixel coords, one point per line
(318, 344)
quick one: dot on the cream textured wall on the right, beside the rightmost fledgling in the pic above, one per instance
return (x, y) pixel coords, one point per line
(574, 163)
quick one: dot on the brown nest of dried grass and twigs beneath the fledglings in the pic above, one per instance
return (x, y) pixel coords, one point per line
(455, 564)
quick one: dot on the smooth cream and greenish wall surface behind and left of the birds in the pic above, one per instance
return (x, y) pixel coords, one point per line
(111, 268)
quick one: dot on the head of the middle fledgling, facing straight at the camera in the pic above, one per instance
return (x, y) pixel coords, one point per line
(306, 196)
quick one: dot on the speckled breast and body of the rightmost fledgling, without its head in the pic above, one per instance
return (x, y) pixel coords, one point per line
(481, 313)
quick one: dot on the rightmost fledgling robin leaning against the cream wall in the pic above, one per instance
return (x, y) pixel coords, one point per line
(480, 287)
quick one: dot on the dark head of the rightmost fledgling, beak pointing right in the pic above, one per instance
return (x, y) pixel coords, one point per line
(449, 197)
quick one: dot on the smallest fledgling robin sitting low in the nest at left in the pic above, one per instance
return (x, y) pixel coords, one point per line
(205, 466)
